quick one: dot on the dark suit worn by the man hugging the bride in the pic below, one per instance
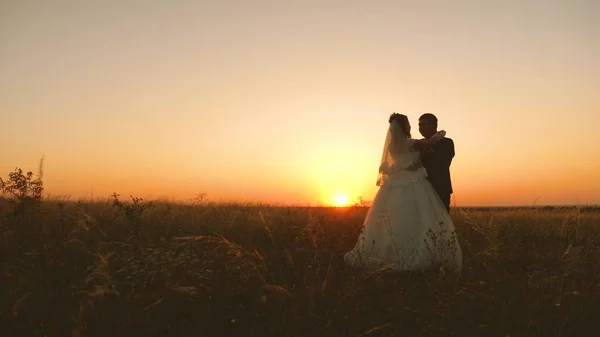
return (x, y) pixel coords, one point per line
(436, 160)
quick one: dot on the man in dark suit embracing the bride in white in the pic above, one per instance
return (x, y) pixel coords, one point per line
(437, 159)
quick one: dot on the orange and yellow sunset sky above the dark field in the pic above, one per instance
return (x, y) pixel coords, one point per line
(287, 101)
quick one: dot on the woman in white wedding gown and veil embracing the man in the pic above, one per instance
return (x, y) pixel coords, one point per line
(407, 227)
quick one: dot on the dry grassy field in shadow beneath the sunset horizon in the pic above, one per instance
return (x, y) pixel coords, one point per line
(138, 269)
